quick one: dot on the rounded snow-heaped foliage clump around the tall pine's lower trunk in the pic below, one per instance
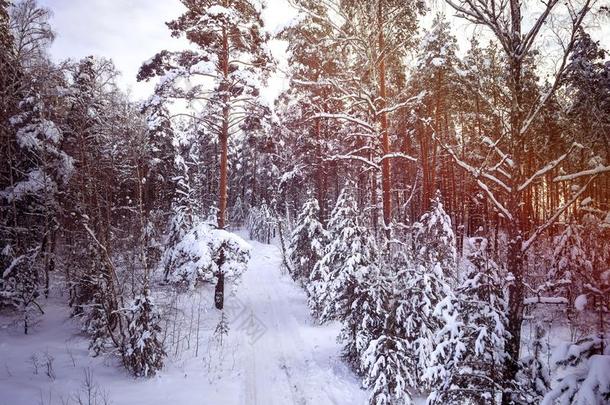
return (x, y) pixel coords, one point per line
(195, 257)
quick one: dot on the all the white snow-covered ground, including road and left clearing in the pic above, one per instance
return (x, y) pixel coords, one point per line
(274, 352)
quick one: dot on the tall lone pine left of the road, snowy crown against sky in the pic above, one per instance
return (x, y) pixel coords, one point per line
(229, 41)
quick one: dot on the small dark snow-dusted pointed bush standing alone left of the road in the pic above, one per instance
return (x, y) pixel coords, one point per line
(143, 351)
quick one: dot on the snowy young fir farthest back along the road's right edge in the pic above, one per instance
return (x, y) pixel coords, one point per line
(307, 241)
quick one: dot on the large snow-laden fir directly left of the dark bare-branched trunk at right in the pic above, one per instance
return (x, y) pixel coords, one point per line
(470, 348)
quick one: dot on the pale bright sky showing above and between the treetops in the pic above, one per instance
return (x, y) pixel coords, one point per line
(132, 31)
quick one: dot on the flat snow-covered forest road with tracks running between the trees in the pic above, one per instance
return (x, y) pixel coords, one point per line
(294, 361)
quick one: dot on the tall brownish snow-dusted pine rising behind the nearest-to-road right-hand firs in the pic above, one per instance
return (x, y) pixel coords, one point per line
(314, 59)
